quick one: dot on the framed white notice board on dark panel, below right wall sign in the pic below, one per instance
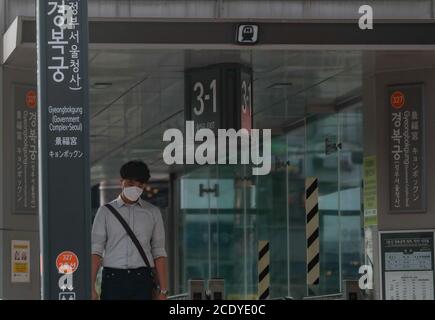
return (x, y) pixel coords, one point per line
(407, 265)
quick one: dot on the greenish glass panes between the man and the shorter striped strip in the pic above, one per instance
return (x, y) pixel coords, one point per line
(217, 228)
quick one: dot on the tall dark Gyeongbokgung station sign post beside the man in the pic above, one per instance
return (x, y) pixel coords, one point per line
(63, 117)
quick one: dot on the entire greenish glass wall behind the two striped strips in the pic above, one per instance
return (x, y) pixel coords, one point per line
(226, 211)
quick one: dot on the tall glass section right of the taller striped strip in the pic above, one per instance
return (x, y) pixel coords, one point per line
(334, 157)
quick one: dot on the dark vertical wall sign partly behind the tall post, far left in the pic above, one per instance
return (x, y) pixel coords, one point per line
(26, 150)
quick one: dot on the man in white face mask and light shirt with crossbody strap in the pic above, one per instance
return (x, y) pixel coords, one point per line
(128, 266)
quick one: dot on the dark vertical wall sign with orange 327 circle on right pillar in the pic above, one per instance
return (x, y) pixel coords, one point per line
(407, 141)
